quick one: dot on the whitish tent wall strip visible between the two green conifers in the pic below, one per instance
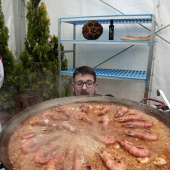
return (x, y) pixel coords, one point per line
(14, 12)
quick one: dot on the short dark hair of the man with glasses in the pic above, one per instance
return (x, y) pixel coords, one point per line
(84, 70)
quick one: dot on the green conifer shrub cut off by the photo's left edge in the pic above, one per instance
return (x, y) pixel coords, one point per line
(7, 90)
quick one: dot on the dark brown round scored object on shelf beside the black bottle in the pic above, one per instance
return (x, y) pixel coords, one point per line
(92, 30)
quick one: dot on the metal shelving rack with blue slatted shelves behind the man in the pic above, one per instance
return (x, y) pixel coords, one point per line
(144, 75)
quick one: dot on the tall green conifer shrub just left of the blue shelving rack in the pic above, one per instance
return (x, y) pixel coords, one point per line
(39, 59)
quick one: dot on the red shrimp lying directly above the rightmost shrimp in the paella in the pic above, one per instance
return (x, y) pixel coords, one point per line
(139, 124)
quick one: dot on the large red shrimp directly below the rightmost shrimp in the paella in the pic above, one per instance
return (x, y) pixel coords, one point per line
(135, 150)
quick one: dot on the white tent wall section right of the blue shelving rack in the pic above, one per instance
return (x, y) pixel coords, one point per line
(161, 78)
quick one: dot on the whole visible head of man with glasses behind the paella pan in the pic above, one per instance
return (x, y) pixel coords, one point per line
(84, 81)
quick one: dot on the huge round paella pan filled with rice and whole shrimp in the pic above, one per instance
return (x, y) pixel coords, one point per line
(87, 133)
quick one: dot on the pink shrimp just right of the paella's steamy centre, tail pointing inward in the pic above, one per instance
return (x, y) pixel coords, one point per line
(107, 140)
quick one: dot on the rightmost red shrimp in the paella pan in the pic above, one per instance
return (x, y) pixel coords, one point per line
(142, 134)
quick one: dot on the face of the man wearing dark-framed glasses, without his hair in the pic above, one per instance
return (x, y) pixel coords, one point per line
(84, 85)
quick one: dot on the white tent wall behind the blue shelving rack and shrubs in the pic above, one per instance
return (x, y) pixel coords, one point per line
(93, 55)
